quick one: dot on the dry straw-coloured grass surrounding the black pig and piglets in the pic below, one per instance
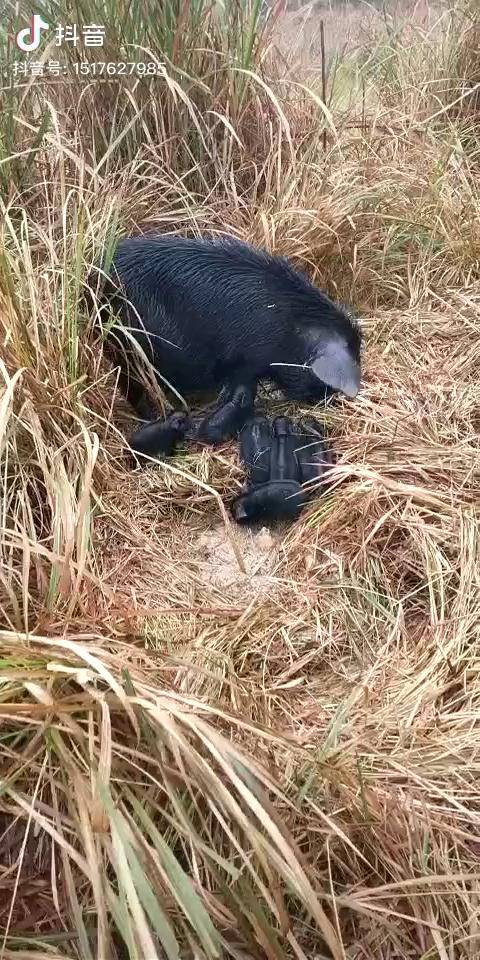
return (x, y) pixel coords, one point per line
(283, 761)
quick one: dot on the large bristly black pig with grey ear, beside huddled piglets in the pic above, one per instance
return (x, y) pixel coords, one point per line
(218, 313)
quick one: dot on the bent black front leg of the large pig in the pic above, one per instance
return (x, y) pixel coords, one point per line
(236, 405)
